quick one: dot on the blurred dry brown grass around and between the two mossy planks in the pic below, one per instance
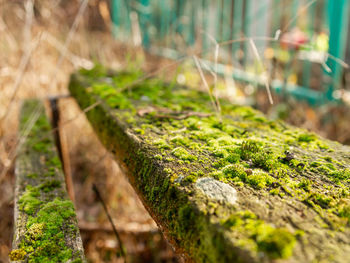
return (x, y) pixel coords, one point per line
(33, 63)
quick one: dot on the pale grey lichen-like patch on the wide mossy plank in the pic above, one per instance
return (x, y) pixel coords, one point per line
(217, 190)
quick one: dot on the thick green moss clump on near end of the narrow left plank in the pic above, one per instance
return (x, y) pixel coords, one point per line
(44, 239)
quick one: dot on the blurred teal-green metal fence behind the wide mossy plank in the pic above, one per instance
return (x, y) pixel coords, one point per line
(292, 38)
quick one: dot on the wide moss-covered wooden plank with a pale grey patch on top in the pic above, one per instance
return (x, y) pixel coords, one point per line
(233, 188)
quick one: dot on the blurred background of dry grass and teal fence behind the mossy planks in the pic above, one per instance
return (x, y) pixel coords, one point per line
(298, 51)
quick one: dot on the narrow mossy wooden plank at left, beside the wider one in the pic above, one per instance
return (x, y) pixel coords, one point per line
(45, 220)
